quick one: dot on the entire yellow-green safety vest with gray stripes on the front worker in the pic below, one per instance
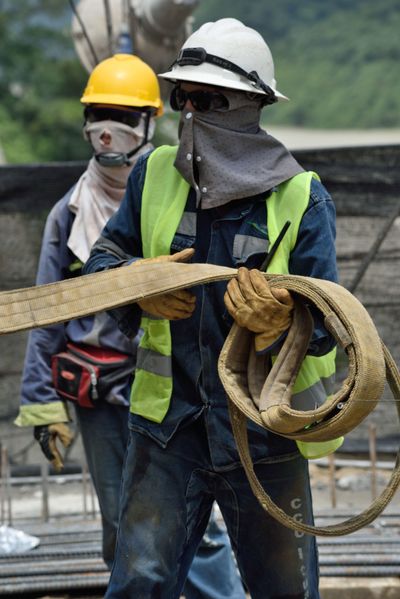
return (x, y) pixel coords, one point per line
(164, 199)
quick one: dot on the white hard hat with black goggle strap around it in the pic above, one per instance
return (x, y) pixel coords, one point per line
(228, 54)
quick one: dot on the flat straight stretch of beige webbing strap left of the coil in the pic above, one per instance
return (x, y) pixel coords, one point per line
(81, 296)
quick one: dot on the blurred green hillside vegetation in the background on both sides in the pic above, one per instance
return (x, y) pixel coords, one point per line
(337, 60)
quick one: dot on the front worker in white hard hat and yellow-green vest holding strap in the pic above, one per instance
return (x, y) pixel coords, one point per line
(222, 196)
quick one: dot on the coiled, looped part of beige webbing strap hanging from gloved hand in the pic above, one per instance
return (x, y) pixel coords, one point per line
(370, 363)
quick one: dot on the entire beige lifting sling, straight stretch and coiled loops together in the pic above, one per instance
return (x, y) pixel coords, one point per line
(250, 394)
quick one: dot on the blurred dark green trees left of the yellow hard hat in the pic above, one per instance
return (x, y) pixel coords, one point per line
(41, 82)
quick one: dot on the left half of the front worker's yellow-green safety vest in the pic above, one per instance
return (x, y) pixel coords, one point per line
(164, 199)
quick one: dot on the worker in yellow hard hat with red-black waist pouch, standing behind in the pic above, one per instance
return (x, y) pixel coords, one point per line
(121, 102)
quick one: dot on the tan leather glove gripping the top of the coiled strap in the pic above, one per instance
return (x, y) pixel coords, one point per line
(254, 305)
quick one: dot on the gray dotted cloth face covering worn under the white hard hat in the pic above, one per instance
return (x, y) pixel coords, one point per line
(225, 155)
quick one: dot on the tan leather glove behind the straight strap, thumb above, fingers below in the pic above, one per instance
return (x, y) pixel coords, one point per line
(175, 305)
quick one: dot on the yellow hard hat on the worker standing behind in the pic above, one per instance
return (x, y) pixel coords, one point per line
(123, 80)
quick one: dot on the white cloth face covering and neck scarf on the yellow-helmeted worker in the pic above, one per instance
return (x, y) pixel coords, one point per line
(99, 191)
